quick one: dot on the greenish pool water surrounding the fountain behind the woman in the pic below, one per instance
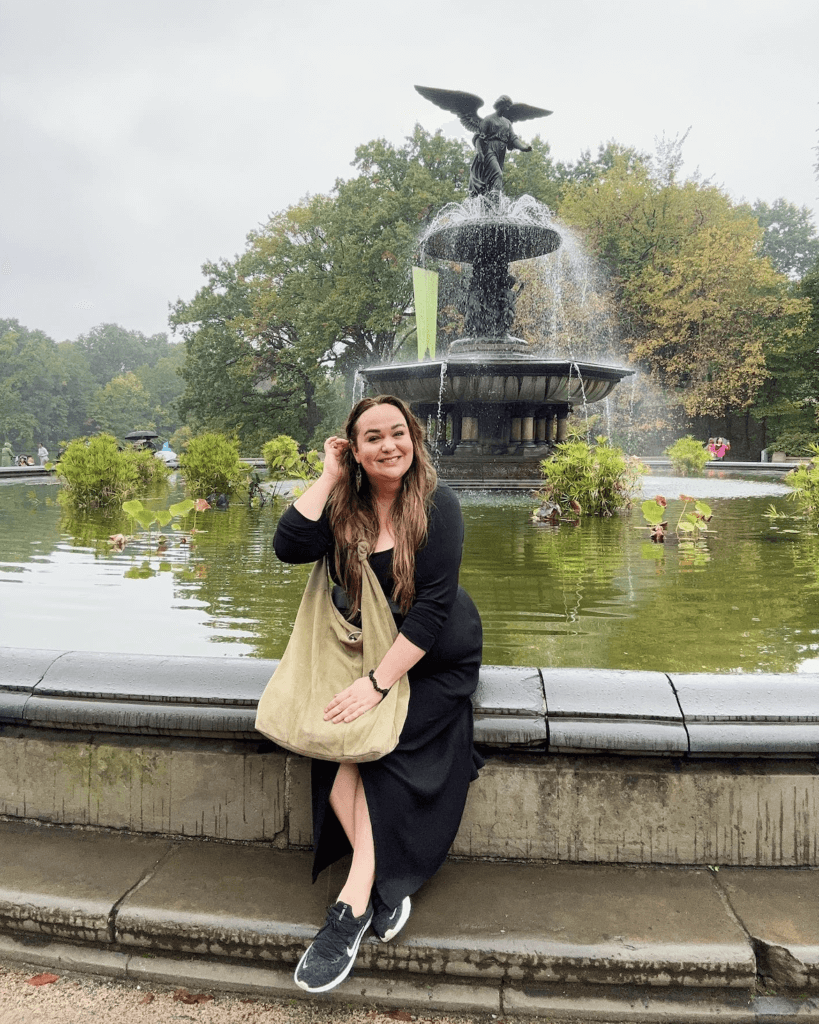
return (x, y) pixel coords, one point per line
(600, 594)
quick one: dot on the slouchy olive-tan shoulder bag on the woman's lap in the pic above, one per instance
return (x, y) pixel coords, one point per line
(324, 656)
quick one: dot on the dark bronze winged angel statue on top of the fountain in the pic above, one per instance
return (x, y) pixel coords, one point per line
(494, 135)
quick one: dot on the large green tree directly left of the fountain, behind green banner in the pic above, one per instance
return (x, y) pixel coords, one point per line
(324, 287)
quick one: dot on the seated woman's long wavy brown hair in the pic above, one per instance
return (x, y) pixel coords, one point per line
(354, 517)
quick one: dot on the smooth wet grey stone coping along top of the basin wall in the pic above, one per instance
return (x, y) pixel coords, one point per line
(580, 711)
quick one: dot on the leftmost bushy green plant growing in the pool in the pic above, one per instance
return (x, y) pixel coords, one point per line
(97, 475)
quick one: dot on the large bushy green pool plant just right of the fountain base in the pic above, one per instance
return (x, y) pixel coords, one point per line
(599, 478)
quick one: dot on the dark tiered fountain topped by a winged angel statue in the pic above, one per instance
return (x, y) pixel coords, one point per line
(495, 408)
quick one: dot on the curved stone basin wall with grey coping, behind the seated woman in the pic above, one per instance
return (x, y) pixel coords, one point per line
(583, 766)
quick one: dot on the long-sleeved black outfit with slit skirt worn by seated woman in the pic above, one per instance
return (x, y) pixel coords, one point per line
(416, 794)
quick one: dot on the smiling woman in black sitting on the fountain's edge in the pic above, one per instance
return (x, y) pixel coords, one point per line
(400, 815)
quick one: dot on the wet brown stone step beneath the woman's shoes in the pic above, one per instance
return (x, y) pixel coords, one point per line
(561, 941)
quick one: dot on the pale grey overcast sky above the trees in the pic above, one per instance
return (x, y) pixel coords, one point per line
(143, 139)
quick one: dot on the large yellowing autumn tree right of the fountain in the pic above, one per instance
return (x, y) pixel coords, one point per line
(699, 305)
